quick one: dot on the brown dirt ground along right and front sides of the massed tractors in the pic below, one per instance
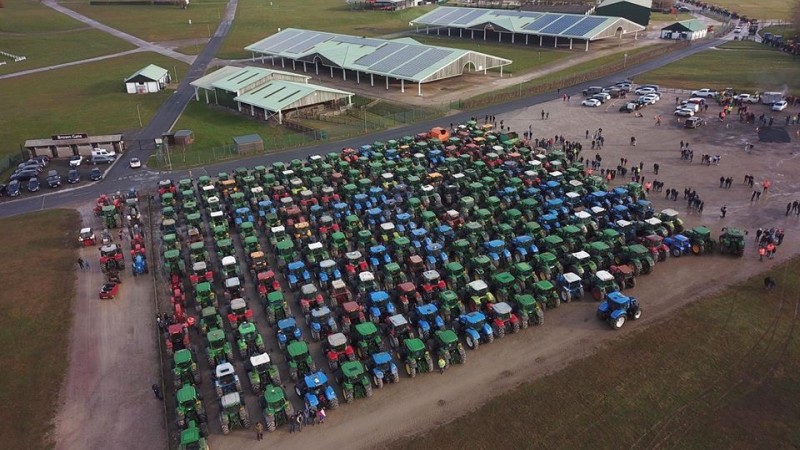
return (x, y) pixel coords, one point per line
(572, 331)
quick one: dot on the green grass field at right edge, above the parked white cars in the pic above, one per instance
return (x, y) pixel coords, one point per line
(736, 64)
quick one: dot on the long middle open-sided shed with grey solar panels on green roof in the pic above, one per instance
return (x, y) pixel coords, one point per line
(405, 60)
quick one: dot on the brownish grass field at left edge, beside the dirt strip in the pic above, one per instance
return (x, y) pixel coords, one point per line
(35, 323)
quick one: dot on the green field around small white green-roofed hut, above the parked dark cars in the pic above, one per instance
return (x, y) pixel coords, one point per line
(88, 98)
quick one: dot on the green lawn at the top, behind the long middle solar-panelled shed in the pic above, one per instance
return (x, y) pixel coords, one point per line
(257, 19)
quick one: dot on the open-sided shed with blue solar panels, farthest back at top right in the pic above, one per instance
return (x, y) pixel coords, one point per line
(515, 26)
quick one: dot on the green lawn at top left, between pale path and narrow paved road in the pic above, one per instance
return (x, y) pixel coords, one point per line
(156, 23)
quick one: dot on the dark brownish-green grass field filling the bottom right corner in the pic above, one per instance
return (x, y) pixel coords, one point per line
(723, 372)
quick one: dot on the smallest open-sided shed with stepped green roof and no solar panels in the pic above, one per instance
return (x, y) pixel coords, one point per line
(266, 93)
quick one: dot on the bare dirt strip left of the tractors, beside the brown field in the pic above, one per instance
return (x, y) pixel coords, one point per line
(106, 400)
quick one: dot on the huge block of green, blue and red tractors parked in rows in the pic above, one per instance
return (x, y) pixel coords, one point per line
(416, 244)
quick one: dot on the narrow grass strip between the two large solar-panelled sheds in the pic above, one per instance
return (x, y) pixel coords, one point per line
(524, 58)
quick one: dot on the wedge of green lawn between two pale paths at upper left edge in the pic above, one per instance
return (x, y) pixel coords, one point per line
(46, 49)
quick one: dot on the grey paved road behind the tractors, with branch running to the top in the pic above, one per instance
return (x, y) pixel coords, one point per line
(121, 178)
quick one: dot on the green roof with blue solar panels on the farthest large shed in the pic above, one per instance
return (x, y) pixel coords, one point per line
(576, 26)
